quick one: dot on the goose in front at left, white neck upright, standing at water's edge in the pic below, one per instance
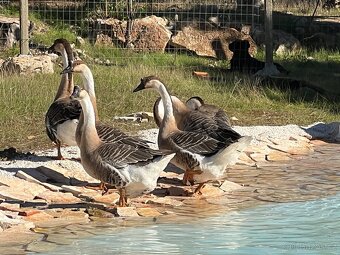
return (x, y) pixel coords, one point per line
(132, 170)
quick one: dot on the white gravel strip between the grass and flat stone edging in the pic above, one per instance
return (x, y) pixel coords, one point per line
(40, 158)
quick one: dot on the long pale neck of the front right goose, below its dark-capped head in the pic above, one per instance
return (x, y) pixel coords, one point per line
(169, 119)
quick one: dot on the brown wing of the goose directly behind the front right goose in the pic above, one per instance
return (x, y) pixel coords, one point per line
(215, 128)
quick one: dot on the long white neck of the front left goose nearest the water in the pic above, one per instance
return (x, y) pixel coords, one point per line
(89, 137)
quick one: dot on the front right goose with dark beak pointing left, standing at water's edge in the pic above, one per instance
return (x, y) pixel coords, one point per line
(202, 157)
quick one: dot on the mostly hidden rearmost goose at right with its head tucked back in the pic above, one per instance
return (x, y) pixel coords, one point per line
(212, 111)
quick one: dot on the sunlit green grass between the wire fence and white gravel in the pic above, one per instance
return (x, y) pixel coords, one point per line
(25, 100)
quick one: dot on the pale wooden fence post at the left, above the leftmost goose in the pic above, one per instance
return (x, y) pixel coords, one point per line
(24, 49)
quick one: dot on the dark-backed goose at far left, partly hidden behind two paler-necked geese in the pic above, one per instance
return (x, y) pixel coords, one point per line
(62, 116)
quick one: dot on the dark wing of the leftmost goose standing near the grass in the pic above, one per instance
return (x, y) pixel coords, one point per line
(60, 111)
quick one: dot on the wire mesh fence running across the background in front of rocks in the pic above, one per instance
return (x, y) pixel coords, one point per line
(114, 23)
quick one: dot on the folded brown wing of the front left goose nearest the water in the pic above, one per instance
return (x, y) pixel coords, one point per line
(120, 155)
